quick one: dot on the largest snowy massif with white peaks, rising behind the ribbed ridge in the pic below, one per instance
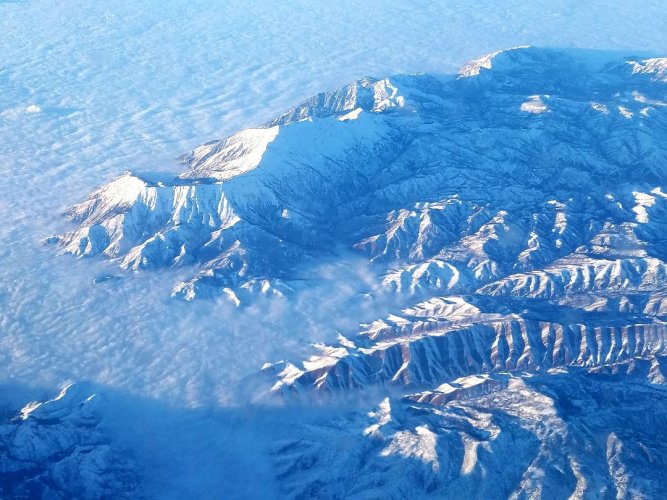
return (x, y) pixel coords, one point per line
(526, 157)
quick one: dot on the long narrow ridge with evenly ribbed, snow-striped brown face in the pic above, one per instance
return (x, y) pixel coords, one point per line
(436, 355)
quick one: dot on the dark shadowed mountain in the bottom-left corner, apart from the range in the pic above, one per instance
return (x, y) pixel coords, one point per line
(55, 449)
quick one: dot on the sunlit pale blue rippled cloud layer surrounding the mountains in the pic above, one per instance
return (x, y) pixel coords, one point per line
(89, 89)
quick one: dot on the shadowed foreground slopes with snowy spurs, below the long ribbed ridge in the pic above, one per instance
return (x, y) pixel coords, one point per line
(562, 434)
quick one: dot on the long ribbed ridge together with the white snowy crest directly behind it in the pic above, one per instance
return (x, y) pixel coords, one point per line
(446, 338)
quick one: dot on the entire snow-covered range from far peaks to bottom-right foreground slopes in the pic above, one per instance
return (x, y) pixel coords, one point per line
(519, 210)
